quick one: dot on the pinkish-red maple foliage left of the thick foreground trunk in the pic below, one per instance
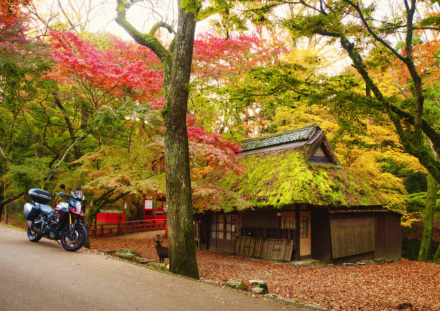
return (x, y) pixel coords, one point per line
(109, 70)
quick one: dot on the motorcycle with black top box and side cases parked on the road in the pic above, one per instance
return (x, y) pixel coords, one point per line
(60, 223)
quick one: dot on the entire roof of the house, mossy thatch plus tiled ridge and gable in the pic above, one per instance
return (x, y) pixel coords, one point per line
(297, 166)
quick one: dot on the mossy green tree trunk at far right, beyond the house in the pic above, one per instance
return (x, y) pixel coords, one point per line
(428, 219)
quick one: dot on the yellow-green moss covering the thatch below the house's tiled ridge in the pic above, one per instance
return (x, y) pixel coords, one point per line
(283, 178)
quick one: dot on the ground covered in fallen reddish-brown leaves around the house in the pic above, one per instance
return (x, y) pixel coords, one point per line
(404, 285)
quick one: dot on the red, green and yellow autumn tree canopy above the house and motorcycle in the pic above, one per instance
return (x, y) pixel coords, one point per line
(96, 111)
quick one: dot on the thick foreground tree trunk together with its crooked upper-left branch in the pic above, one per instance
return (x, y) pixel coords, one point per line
(177, 69)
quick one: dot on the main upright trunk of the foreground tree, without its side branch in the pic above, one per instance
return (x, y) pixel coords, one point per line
(181, 243)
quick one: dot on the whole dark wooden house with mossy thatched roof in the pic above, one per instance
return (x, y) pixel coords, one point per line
(304, 206)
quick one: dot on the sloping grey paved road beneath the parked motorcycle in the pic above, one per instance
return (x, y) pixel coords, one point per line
(43, 276)
